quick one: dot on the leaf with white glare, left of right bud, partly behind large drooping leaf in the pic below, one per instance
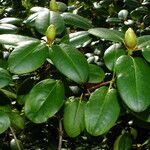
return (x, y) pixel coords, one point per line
(112, 54)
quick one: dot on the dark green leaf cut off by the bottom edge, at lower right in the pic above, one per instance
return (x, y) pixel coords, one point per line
(123, 142)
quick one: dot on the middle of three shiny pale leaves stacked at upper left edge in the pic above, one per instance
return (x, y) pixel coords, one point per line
(8, 28)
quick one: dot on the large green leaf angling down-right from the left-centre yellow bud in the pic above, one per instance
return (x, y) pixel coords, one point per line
(70, 62)
